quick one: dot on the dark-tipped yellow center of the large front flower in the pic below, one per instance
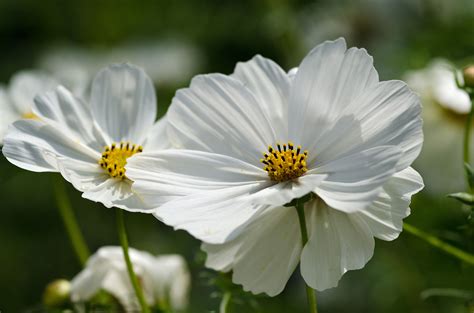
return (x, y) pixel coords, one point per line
(285, 163)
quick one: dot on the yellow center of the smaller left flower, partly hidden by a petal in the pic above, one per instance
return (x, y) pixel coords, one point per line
(114, 158)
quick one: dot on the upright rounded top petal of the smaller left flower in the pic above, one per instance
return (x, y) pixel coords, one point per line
(123, 102)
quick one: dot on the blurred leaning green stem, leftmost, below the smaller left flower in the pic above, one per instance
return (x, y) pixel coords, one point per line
(70, 223)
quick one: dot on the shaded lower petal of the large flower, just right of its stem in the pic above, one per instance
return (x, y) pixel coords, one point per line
(338, 242)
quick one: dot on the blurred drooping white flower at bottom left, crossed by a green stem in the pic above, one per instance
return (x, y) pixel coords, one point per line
(165, 279)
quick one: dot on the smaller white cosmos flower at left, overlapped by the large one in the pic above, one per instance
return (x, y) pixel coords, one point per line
(89, 143)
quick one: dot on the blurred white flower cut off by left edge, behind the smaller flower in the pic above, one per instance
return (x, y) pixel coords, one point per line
(16, 100)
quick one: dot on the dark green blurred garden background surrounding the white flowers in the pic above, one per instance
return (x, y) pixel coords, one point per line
(175, 40)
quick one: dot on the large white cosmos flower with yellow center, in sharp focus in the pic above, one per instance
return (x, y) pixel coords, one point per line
(259, 138)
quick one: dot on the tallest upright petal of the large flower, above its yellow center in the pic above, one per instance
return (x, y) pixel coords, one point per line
(327, 80)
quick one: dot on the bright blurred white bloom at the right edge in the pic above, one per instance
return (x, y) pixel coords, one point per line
(437, 83)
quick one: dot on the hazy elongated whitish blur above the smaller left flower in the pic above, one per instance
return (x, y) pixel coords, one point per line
(166, 62)
